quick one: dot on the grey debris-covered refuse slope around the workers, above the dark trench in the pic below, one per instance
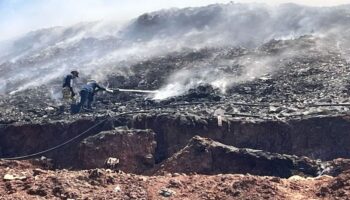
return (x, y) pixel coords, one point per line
(285, 78)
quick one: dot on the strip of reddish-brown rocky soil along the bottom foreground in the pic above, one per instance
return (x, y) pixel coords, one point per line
(23, 180)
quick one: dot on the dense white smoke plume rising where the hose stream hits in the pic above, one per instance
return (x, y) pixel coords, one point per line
(220, 73)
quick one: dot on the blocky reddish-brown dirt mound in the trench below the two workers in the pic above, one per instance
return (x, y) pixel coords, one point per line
(133, 148)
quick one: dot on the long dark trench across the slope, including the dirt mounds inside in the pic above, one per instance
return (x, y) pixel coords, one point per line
(143, 142)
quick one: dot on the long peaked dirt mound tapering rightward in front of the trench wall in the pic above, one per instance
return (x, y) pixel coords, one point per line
(206, 156)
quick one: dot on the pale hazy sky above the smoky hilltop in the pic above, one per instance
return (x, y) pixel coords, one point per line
(20, 16)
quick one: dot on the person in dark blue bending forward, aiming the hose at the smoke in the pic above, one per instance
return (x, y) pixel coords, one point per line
(87, 94)
